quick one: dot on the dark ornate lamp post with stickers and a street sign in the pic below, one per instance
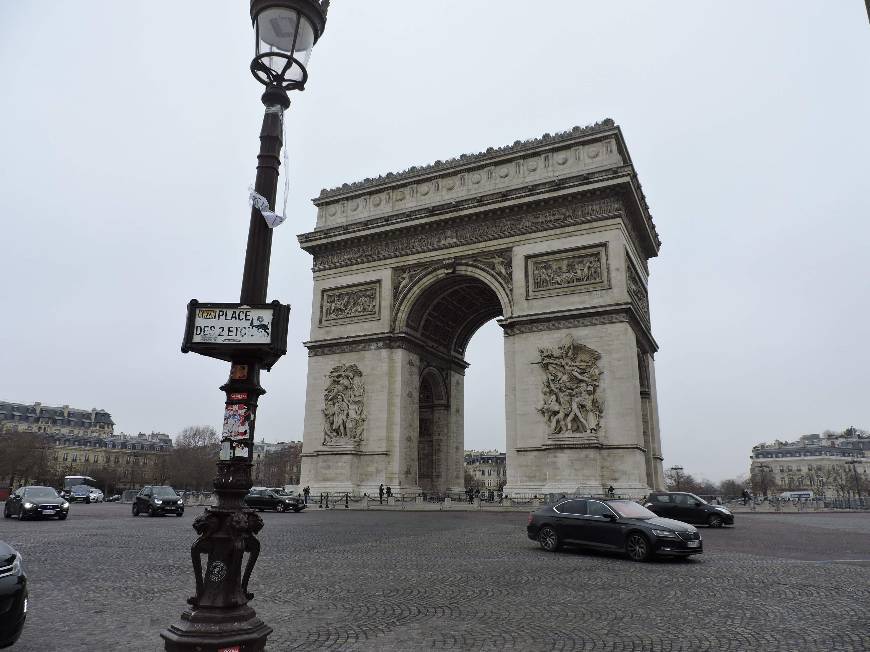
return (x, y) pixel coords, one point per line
(219, 617)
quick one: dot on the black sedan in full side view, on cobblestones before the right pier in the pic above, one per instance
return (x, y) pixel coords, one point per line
(618, 525)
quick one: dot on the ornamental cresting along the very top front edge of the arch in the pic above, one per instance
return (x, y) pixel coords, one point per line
(442, 167)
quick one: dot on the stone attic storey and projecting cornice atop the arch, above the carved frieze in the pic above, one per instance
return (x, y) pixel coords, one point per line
(537, 169)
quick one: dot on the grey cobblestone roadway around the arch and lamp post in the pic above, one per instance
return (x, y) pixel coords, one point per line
(355, 580)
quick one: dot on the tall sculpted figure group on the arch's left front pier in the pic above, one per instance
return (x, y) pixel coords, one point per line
(344, 413)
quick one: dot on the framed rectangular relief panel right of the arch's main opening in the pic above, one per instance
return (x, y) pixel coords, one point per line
(567, 271)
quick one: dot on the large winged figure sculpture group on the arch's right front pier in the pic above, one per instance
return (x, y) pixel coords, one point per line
(572, 405)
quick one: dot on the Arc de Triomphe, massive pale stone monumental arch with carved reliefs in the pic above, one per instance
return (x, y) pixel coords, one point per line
(552, 237)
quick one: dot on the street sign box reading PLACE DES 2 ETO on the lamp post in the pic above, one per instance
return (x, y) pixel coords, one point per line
(237, 332)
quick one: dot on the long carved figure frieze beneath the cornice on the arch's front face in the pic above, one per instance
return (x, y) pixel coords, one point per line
(457, 233)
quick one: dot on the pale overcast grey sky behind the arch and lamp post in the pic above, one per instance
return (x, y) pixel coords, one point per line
(128, 136)
